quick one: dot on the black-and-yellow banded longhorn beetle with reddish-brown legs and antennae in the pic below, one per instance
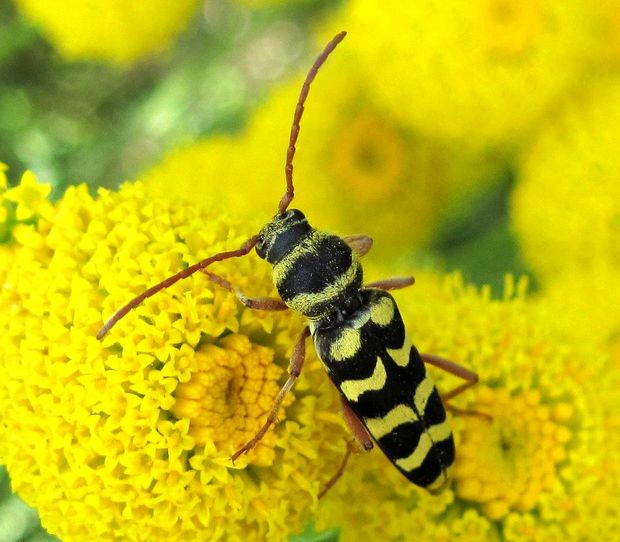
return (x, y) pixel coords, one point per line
(357, 330)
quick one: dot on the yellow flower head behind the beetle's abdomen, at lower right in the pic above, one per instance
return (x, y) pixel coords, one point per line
(527, 473)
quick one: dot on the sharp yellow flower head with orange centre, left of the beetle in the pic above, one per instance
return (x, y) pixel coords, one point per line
(130, 438)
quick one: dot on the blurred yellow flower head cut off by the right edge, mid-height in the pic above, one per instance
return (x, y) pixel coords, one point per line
(566, 207)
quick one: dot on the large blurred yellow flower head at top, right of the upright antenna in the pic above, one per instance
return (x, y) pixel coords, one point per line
(477, 72)
